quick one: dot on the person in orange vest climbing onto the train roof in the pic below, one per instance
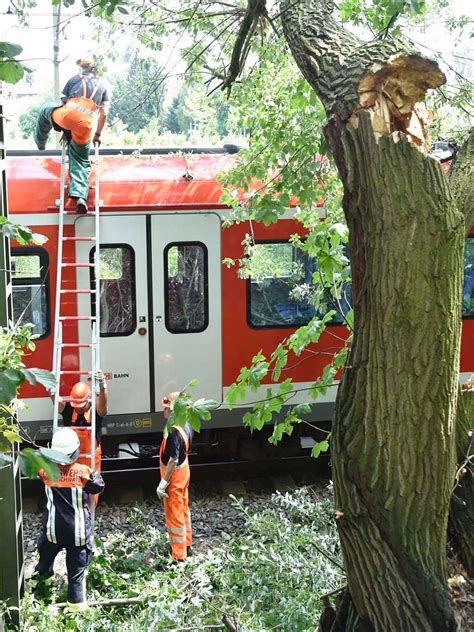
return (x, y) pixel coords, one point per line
(85, 106)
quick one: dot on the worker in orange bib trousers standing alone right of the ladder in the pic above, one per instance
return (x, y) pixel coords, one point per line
(174, 483)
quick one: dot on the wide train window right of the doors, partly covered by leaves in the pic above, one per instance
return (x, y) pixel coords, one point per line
(281, 276)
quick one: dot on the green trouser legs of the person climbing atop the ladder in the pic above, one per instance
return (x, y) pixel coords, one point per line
(79, 163)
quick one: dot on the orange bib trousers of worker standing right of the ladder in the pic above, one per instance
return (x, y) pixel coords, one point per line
(177, 514)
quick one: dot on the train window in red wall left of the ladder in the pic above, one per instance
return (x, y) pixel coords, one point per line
(30, 279)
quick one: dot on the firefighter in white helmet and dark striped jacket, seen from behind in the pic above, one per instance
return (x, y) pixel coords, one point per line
(66, 518)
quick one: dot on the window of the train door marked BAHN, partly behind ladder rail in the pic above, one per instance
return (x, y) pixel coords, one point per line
(117, 290)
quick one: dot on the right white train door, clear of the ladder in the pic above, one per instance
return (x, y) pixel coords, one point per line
(186, 280)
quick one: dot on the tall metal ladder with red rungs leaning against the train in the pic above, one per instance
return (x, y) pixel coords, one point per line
(61, 319)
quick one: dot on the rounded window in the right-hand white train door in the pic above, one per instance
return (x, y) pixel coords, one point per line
(186, 292)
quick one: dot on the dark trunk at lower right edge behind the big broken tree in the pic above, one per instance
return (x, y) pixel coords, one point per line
(461, 517)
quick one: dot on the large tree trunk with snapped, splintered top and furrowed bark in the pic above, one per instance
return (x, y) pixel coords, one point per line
(393, 446)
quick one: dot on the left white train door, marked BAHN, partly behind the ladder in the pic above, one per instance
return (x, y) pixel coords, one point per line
(124, 343)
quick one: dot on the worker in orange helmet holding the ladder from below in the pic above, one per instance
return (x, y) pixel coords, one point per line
(78, 414)
